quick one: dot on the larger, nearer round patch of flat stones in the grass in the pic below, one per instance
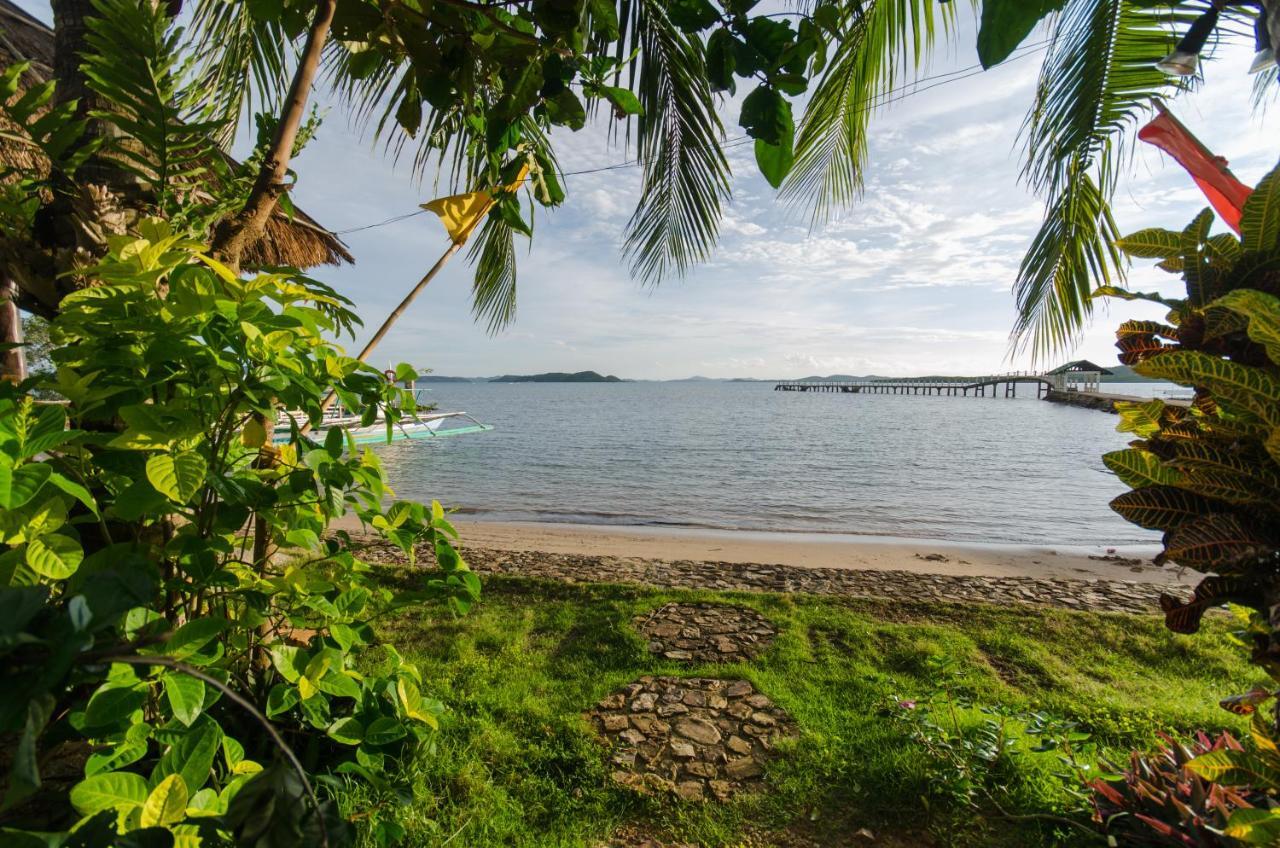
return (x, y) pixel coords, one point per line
(700, 738)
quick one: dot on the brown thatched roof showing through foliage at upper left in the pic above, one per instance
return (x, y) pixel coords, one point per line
(301, 243)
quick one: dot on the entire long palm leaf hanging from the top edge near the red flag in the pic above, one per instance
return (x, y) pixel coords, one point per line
(1098, 83)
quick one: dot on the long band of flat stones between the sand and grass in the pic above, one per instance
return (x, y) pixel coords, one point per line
(1099, 596)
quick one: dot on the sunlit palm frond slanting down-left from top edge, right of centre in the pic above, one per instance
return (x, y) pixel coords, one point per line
(883, 43)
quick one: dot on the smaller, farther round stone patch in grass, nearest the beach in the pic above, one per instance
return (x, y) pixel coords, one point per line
(706, 632)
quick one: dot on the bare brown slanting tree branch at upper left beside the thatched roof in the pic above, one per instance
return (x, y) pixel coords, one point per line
(235, 234)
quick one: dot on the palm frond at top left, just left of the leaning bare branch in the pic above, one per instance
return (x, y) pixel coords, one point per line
(241, 57)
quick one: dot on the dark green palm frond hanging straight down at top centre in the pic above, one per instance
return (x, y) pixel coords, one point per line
(687, 176)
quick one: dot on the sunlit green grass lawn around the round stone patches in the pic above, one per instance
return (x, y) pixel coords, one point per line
(515, 763)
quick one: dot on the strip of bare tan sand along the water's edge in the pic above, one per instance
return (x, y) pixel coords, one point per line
(1130, 564)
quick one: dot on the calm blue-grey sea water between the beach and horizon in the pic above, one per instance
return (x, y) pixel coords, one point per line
(743, 457)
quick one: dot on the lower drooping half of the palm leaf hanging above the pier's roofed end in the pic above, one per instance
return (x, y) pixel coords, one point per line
(1072, 254)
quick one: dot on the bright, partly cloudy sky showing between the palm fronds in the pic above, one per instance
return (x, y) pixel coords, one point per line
(916, 279)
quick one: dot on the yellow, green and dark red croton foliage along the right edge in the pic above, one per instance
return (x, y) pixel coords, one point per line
(1208, 476)
